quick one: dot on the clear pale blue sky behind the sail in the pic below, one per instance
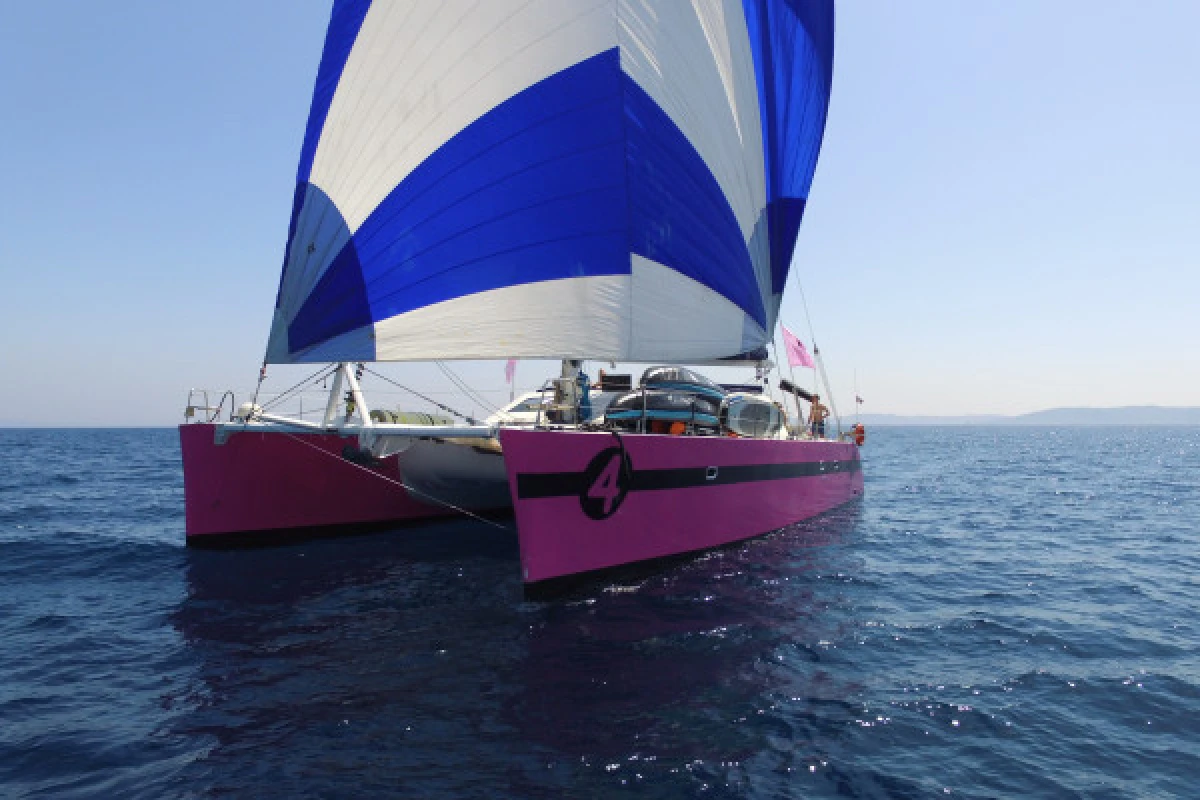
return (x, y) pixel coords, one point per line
(1006, 215)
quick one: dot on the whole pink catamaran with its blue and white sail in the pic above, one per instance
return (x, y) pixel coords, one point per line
(605, 181)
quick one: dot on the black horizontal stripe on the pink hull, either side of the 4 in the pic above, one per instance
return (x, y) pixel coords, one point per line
(533, 486)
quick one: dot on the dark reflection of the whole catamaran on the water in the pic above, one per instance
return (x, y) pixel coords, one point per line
(411, 658)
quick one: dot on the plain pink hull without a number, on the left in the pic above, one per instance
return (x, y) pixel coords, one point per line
(257, 483)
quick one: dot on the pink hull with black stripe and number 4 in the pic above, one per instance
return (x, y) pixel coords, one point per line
(578, 510)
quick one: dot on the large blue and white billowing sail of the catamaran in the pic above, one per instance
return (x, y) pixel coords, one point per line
(605, 179)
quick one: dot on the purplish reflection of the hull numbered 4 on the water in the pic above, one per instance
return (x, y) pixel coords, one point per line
(686, 665)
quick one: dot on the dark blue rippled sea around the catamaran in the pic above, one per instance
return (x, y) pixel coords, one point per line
(1007, 613)
